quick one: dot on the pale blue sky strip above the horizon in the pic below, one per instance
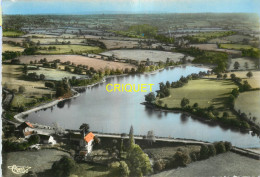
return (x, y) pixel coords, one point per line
(128, 6)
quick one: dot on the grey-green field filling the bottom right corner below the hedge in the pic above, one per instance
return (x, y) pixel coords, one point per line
(227, 164)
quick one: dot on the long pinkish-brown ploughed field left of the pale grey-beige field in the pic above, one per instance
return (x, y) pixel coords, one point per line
(78, 59)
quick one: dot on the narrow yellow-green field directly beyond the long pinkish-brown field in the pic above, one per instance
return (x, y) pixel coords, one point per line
(68, 49)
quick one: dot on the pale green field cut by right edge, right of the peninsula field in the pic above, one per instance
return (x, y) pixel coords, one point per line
(249, 103)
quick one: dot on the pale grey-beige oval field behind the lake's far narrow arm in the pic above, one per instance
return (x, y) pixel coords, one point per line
(142, 55)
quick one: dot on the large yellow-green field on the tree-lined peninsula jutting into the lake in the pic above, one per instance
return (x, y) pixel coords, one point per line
(205, 92)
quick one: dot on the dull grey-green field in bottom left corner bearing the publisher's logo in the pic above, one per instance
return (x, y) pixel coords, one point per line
(39, 161)
